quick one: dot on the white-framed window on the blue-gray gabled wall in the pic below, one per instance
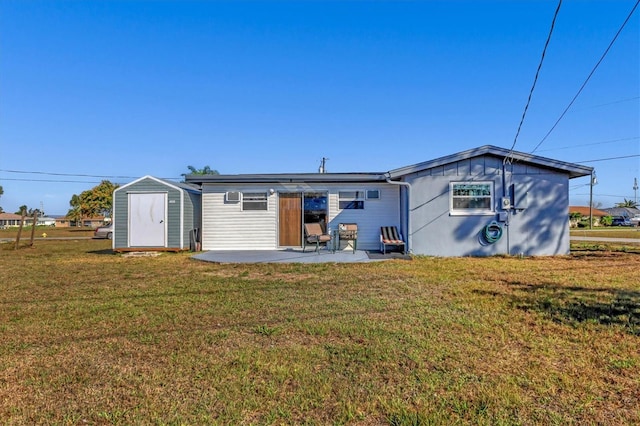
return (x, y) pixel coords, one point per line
(471, 197)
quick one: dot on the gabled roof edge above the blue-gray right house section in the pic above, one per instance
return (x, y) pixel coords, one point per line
(574, 170)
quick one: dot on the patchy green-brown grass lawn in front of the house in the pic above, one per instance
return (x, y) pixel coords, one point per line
(89, 337)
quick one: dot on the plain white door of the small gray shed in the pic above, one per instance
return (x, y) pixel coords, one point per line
(147, 220)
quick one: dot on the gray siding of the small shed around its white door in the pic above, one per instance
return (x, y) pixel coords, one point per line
(182, 208)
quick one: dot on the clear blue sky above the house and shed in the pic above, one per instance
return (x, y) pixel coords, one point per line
(125, 89)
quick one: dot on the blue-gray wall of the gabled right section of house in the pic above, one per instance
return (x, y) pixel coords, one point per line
(540, 229)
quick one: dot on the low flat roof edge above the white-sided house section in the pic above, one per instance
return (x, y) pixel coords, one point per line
(287, 178)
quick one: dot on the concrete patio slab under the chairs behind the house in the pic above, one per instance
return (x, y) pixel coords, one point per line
(296, 256)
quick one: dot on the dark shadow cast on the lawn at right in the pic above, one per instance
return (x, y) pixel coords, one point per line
(574, 305)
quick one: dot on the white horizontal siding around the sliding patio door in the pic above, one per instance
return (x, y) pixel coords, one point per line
(225, 226)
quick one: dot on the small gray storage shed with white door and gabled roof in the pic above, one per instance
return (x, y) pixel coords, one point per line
(155, 214)
